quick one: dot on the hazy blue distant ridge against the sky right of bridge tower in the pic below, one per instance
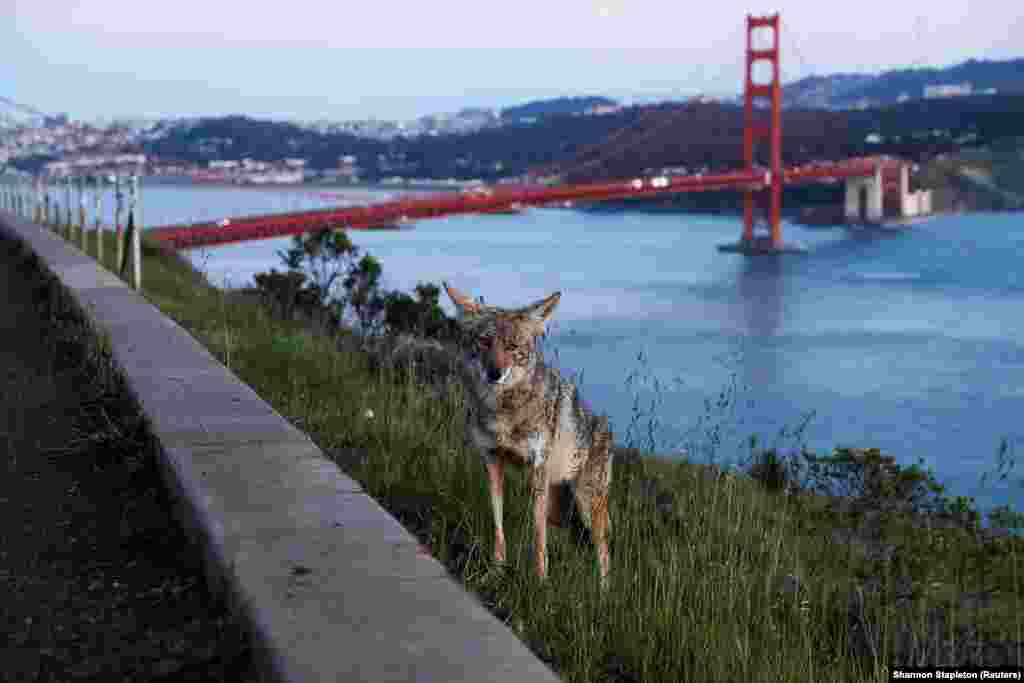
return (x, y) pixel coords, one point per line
(842, 91)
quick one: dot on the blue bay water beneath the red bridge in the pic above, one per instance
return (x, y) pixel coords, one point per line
(911, 343)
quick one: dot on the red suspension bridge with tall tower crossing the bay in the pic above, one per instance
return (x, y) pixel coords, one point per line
(750, 181)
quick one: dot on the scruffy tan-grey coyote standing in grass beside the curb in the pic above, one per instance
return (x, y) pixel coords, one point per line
(525, 413)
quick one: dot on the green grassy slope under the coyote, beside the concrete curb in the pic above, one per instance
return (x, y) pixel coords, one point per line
(720, 578)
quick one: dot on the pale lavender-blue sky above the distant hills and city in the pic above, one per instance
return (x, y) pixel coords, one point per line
(338, 60)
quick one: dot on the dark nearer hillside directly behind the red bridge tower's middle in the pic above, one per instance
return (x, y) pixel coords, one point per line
(710, 136)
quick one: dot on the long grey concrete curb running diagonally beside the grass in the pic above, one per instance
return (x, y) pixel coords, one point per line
(331, 586)
